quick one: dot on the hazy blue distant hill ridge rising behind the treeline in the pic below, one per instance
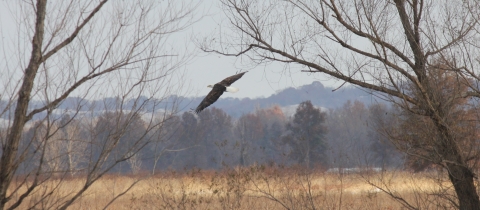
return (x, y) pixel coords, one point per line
(319, 95)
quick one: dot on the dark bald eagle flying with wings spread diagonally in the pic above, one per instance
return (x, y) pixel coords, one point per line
(217, 91)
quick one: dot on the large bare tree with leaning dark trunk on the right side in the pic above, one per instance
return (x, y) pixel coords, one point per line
(378, 45)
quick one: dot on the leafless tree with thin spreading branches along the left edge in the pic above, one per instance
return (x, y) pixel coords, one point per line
(89, 49)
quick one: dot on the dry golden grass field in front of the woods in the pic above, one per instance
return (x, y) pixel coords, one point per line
(253, 188)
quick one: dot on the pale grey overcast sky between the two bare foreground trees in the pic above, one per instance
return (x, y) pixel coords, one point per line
(207, 69)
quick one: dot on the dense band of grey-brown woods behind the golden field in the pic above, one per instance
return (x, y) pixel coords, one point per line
(342, 138)
